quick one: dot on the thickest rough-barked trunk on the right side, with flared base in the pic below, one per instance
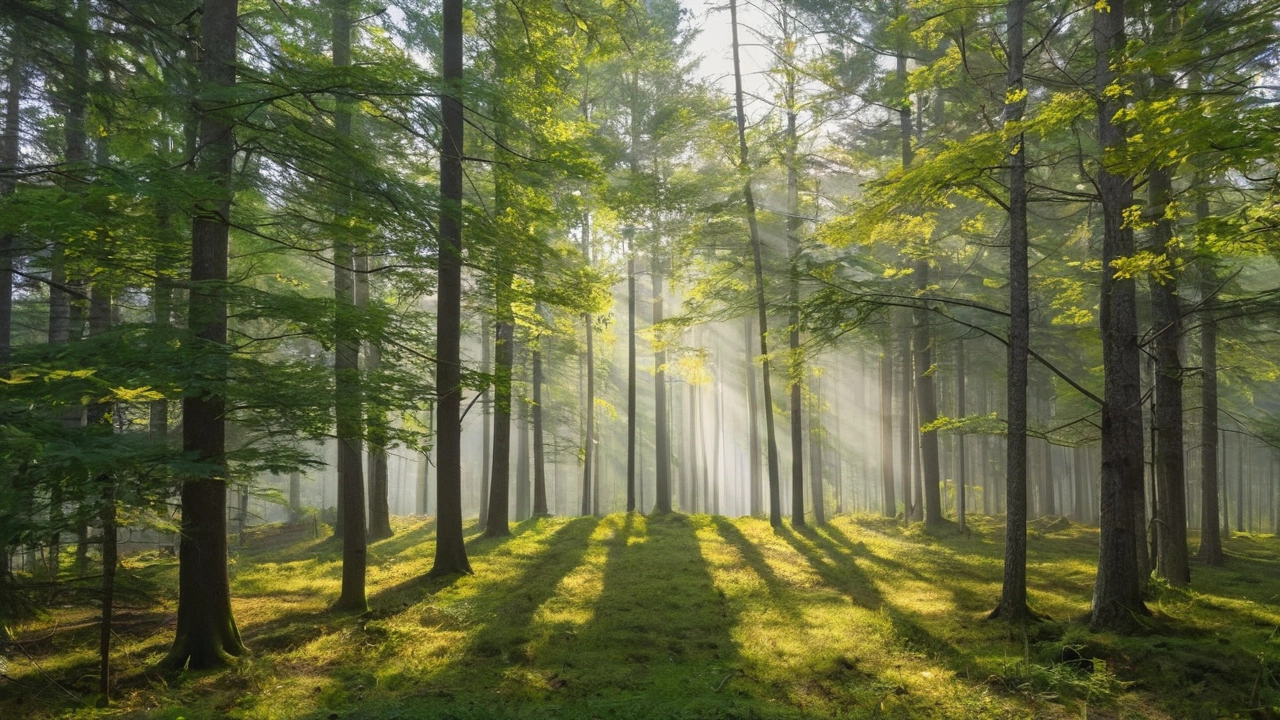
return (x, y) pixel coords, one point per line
(1118, 595)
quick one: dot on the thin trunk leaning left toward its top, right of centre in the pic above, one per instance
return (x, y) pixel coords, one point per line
(758, 262)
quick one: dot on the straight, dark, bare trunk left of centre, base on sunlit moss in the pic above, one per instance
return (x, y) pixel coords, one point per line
(451, 553)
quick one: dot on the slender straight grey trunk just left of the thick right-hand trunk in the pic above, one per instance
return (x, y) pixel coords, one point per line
(1013, 595)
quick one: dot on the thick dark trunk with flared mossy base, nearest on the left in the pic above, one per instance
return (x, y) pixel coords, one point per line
(207, 635)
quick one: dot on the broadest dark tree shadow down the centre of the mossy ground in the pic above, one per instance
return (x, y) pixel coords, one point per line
(659, 636)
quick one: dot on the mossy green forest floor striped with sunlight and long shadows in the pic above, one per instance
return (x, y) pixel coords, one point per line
(675, 617)
